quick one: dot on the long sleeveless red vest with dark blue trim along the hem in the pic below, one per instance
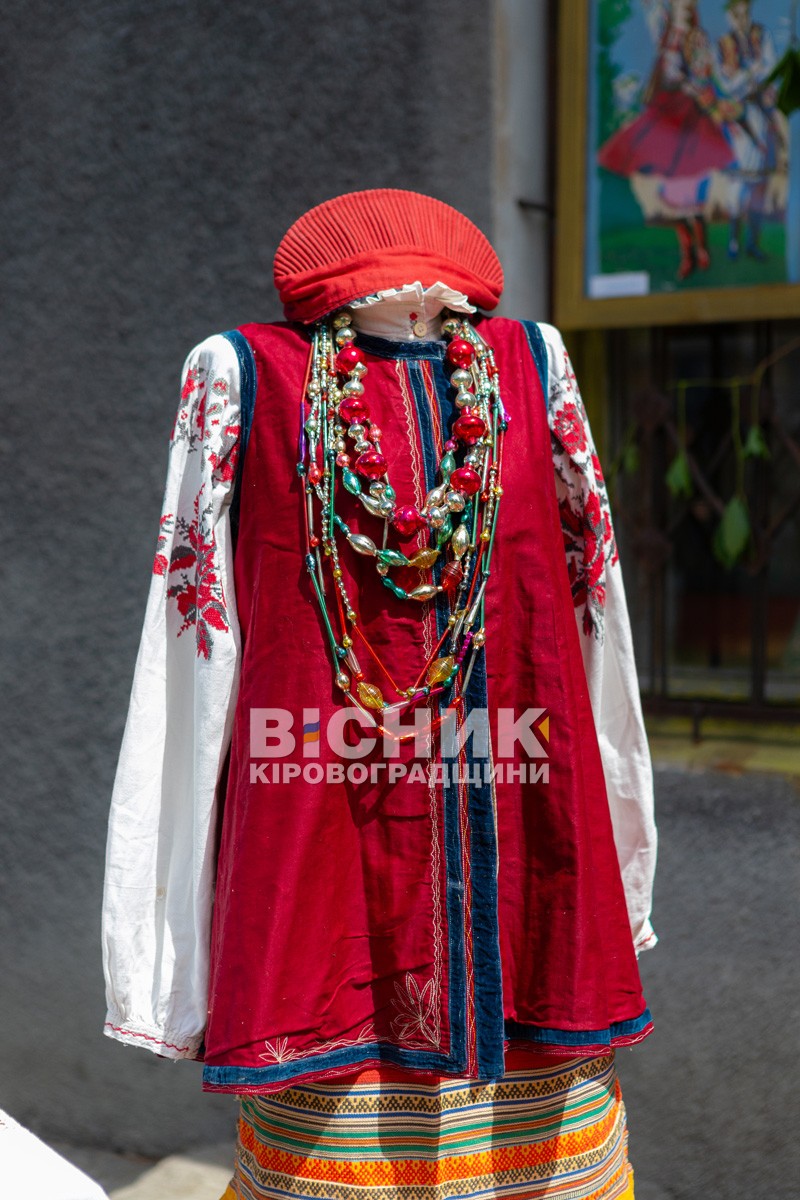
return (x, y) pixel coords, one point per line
(426, 922)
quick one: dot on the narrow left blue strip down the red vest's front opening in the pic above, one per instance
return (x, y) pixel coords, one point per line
(454, 878)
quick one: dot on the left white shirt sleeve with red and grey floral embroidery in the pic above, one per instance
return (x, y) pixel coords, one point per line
(161, 855)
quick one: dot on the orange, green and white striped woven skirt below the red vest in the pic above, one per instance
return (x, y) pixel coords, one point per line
(555, 1131)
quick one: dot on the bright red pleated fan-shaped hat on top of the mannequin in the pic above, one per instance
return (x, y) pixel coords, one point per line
(366, 242)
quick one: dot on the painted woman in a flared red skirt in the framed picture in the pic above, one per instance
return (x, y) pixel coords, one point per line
(670, 151)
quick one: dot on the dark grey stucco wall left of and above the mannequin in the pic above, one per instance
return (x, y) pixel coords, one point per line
(153, 157)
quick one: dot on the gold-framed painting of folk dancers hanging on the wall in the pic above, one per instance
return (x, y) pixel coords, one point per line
(678, 196)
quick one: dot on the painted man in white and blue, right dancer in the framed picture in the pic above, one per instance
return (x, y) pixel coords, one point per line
(747, 57)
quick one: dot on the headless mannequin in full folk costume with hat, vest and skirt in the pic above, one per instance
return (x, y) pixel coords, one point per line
(470, 934)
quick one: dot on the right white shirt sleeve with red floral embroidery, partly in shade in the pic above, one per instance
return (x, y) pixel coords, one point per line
(605, 633)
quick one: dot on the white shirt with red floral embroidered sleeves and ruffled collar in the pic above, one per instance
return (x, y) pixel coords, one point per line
(161, 844)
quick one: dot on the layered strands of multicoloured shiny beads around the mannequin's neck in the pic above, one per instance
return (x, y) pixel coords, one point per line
(460, 513)
